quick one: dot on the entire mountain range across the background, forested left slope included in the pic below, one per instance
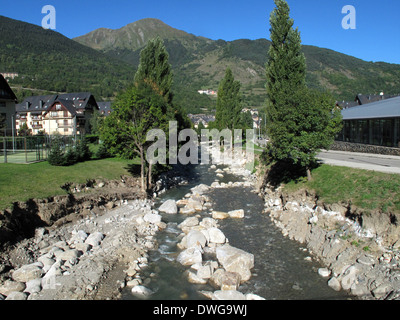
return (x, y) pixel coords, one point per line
(104, 62)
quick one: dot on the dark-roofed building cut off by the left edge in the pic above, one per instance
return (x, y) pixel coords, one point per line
(7, 108)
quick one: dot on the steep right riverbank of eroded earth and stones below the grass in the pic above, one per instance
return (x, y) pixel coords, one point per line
(360, 249)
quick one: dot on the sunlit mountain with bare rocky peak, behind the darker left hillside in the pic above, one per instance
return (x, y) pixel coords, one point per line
(200, 63)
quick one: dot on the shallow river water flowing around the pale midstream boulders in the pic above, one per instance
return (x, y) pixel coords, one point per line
(281, 269)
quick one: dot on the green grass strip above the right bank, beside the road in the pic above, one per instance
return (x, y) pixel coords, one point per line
(365, 189)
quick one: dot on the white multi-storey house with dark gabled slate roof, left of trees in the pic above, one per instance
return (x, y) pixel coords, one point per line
(66, 114)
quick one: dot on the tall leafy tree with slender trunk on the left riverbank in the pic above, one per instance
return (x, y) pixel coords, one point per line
(146, 105)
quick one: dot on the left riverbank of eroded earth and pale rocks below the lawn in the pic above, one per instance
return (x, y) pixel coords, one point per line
(93, 240)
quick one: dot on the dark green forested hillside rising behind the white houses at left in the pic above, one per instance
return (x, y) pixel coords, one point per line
(47, 61)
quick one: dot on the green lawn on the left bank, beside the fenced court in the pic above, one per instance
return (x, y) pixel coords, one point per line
(20, 182)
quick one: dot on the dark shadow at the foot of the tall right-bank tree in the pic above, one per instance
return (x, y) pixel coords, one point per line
(285, 172)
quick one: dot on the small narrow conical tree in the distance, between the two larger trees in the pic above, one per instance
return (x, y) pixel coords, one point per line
(228, 108)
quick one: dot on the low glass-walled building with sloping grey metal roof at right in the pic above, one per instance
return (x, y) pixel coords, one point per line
(375, 123)
